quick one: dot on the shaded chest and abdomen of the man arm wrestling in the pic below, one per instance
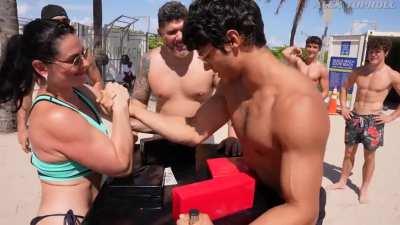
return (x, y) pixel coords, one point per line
(253, 123)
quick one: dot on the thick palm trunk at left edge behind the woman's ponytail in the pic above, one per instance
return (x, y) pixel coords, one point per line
(8, 27)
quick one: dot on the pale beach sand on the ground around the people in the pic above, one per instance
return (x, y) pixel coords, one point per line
(20, 193)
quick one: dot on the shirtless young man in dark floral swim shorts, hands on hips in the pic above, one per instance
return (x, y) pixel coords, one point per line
(365, 123)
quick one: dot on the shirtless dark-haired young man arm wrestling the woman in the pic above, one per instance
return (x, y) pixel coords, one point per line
(283, 144)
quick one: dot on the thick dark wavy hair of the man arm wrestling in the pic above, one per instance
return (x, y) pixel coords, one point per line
(209, 20)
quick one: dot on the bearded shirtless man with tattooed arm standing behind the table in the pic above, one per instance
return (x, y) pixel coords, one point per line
(175, 75)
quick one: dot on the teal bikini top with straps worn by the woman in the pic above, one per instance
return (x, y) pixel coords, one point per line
(67, 170)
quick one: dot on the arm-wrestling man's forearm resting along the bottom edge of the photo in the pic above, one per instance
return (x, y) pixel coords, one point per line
(287, 214)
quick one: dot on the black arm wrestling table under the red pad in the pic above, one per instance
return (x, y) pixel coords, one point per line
(109, 209)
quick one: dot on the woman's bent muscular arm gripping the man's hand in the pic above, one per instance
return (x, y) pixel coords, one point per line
(69, 134)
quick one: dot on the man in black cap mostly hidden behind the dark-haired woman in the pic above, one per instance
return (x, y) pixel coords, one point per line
(52, 12)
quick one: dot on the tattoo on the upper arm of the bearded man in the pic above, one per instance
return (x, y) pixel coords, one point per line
(141, 90)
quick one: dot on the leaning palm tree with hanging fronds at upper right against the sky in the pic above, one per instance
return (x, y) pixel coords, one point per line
(301, 4)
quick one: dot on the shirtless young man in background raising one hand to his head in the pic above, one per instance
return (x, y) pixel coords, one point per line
(310, 66)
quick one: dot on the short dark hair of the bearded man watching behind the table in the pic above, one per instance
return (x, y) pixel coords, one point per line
(171, 11)
